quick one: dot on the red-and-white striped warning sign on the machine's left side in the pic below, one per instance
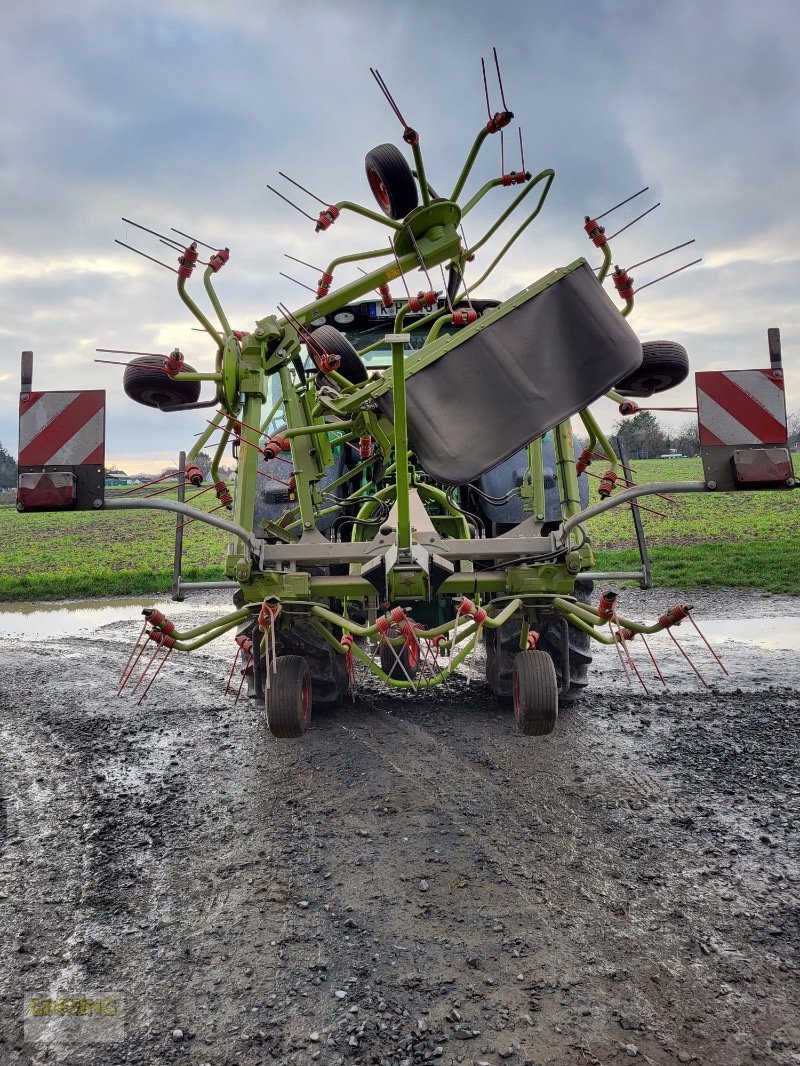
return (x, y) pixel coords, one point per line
(62, 429)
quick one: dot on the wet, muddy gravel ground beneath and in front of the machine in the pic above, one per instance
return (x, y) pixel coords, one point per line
(414, 881)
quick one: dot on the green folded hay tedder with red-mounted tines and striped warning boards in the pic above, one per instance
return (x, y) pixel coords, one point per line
(407, 481)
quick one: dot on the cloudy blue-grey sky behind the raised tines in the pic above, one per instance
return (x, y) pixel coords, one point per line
(180, 115)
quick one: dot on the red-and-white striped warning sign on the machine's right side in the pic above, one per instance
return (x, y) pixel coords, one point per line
(738, 408)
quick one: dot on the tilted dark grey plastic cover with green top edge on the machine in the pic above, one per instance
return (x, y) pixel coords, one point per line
(534, 362)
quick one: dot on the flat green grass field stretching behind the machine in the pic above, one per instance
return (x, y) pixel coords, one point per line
(715, 540)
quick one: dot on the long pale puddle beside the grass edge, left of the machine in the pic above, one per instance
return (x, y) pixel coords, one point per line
(50, 621)
